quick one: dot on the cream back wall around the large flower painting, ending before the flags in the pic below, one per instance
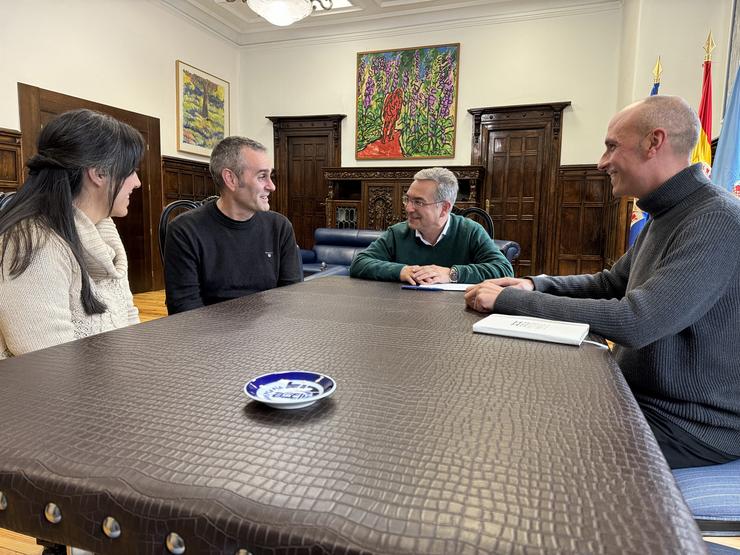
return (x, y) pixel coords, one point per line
(523, 62)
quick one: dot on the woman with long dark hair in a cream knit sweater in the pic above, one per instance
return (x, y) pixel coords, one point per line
(63, 268)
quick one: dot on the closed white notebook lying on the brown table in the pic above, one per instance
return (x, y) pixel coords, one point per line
(527, 327)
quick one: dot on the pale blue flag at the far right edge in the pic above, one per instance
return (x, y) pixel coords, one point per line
(726, 168)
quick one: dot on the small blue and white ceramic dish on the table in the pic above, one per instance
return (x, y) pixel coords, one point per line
(293, 389)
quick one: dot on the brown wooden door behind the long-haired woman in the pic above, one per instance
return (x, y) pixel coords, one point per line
(39, 106)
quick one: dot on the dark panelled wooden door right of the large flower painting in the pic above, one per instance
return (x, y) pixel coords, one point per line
(520, 148)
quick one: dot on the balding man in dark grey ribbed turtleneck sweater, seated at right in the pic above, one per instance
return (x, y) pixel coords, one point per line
(672, 302)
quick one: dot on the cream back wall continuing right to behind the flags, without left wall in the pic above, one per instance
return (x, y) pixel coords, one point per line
(600, 60)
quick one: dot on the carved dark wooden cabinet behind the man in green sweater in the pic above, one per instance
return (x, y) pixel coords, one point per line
(370, 197)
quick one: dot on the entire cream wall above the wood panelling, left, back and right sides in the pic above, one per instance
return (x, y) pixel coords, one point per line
(123, 52)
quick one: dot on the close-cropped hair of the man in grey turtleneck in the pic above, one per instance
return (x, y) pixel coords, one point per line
(673, 114)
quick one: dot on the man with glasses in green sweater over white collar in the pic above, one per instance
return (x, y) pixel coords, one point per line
(432, 245)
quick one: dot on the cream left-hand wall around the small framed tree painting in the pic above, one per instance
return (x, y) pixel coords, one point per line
(116, 52)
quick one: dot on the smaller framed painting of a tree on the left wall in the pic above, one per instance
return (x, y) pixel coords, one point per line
(203, 109)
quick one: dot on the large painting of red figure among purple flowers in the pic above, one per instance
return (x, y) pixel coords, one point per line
(407, 103)
